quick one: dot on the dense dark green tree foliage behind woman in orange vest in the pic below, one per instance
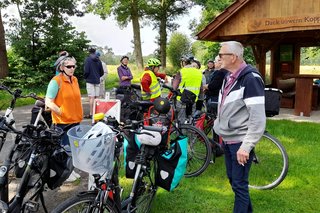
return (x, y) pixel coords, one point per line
(36, 40)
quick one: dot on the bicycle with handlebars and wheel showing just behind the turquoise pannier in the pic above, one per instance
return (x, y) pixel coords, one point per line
(199, 148)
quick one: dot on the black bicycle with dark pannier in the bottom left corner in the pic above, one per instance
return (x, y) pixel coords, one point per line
(44, 154)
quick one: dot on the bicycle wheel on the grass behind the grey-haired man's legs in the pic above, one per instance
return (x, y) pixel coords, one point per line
(270, 163)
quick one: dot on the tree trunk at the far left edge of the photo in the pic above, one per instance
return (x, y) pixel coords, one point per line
(4, 69)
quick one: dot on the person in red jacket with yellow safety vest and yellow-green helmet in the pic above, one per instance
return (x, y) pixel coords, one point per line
(150, 87)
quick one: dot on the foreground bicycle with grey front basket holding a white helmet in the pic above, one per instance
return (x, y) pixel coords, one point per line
(106, 195)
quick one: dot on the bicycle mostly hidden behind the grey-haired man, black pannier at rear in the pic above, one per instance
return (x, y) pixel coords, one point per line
(270, 159)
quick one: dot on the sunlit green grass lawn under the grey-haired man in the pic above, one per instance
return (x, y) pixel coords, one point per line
(299, 192)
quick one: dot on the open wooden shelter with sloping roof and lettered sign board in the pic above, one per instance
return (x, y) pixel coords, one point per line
(277, 27)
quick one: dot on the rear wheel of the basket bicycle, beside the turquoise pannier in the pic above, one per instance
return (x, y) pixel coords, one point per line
(146, 190)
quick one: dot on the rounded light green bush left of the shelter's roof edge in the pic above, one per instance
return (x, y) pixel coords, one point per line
(178, 45)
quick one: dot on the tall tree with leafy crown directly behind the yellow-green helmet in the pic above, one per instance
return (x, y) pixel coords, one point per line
(163, 13)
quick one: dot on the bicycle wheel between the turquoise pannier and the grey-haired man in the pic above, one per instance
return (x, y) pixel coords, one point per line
(199, 149)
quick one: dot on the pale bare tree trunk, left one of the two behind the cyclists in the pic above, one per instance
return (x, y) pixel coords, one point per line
(136, 34)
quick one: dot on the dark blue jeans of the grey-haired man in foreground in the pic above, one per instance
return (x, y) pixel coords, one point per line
(238, 177)
